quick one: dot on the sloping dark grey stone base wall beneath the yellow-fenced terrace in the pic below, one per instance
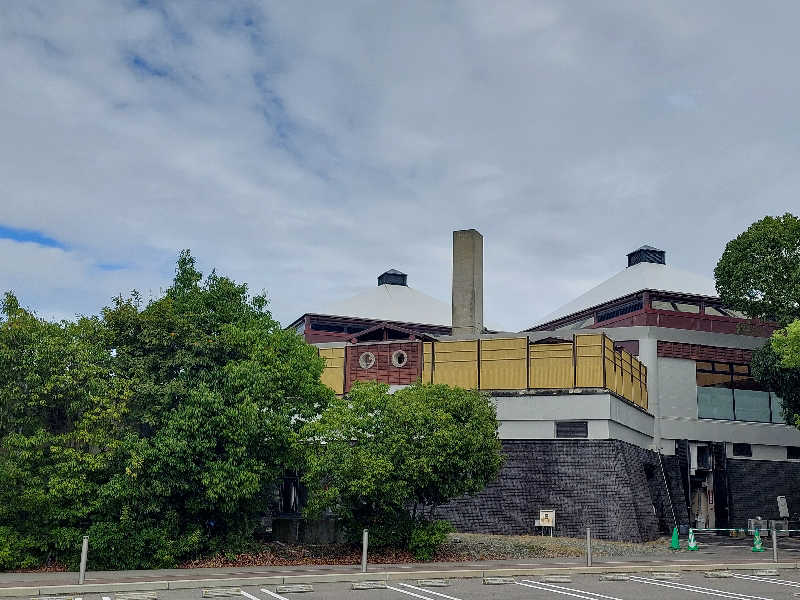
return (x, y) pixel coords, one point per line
(609, 485)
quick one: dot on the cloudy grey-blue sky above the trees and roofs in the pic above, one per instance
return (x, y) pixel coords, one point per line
(306, 147)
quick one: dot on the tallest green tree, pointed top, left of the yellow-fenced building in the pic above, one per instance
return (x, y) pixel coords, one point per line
(221, 391)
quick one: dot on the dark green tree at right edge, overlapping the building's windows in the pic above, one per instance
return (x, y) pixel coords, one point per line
(759, 274)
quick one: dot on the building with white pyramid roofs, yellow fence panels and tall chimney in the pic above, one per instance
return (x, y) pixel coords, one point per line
(688, 444)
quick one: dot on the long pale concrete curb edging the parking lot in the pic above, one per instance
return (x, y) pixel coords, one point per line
(182, 584)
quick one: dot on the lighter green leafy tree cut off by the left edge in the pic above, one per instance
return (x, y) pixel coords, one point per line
(62, 432)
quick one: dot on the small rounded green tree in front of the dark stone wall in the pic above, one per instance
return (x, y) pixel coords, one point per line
(385, 460)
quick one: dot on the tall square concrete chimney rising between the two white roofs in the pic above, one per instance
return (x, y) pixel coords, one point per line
(467, 283)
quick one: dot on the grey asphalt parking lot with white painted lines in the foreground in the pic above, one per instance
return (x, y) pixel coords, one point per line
(688, 585)
